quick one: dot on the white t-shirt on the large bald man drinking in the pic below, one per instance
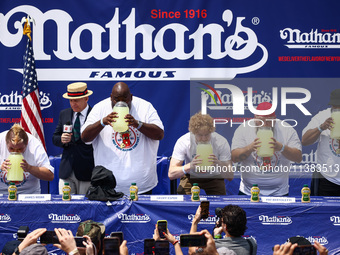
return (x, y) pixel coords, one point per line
(131, 158)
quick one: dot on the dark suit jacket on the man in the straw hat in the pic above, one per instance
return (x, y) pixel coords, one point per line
(77, 156)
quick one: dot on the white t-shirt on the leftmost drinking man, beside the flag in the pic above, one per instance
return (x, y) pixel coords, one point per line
(35, 155)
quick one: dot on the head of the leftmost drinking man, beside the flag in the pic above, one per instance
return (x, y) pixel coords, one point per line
(16, 139)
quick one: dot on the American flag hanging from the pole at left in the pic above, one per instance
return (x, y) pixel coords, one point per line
(30, 110)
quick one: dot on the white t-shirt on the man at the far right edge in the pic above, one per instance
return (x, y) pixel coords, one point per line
(326, 150)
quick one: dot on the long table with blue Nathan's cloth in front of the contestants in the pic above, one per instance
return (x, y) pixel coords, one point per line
(268, 223)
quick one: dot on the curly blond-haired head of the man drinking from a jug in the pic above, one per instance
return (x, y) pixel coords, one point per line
(201, 125)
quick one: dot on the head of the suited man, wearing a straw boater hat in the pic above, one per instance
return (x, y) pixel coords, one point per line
(78, 94)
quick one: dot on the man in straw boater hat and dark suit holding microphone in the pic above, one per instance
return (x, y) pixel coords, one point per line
(77, 160)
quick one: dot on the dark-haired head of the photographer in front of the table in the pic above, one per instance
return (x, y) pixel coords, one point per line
(235, 219)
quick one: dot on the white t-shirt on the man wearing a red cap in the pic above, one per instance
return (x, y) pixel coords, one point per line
(275, 181)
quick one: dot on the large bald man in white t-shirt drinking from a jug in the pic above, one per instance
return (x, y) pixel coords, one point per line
(130, 155)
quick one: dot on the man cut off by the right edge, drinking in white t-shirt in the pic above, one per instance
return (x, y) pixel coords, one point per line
(323, 129)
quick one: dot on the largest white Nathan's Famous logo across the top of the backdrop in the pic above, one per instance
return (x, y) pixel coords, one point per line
(229, 39)
